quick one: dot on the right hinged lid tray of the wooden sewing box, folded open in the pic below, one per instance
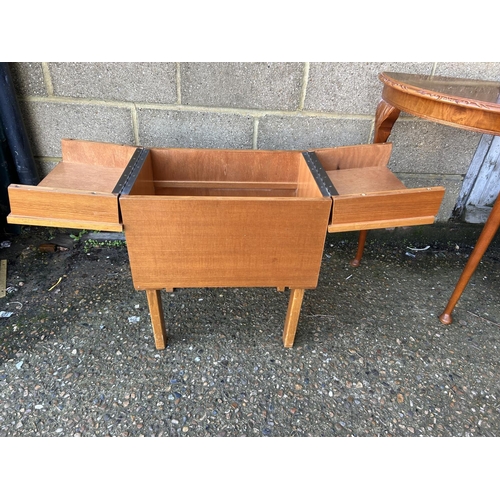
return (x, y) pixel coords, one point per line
(367, 195)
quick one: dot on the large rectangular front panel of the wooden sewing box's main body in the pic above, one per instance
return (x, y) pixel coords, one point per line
(220, 242)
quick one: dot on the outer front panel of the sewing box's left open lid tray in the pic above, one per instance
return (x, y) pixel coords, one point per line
(43, 206)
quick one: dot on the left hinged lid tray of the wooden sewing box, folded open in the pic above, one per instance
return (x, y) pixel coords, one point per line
(80, 192)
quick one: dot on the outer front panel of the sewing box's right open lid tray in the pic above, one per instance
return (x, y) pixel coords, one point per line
(385, 209)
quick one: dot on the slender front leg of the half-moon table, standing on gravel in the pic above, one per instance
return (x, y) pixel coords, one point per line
(489, 230)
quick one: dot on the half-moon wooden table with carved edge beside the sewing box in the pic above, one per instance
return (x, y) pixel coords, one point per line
(463, 103)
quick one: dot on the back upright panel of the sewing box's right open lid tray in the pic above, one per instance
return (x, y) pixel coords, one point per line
(359, 156)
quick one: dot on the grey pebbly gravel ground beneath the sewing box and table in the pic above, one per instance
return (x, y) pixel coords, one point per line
(77, 356)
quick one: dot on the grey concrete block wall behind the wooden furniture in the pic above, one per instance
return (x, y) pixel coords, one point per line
(279, 105)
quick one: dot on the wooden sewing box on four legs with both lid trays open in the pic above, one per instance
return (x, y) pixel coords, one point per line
(222, 218)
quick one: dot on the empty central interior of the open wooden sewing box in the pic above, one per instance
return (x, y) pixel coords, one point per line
(217, 172)
